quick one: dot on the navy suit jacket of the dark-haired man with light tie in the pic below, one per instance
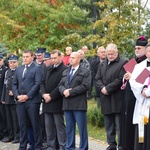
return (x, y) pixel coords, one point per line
(30, 84)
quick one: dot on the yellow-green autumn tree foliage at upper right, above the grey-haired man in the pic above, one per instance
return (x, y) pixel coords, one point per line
(120, 24)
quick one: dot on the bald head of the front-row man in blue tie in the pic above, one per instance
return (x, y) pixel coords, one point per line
(74, 59)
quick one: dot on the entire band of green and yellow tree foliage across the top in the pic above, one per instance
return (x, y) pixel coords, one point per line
(56, 24)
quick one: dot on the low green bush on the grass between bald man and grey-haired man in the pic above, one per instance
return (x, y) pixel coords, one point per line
(95, 117)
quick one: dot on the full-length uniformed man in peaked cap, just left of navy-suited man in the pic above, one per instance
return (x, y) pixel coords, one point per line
(9, 102)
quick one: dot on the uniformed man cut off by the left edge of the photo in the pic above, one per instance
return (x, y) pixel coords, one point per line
(3, 125)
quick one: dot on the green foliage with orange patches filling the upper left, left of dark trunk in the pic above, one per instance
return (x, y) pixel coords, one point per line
(37, 23)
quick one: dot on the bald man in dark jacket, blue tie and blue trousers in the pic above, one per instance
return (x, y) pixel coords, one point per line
(75, 83)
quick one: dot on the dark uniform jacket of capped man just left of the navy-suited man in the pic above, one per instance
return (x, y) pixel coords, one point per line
(8, 87)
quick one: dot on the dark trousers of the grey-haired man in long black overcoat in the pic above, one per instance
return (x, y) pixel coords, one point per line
(112, 125)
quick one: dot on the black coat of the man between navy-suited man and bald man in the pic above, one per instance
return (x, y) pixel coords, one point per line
(52, 77)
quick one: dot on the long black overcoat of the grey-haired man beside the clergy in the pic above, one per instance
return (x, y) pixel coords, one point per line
(110, 76)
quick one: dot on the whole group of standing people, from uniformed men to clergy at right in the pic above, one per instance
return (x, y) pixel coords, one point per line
(44, 98)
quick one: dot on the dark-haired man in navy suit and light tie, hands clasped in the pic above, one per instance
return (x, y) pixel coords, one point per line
(26, 86)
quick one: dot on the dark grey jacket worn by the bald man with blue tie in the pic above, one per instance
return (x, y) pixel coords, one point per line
(79, 85)
